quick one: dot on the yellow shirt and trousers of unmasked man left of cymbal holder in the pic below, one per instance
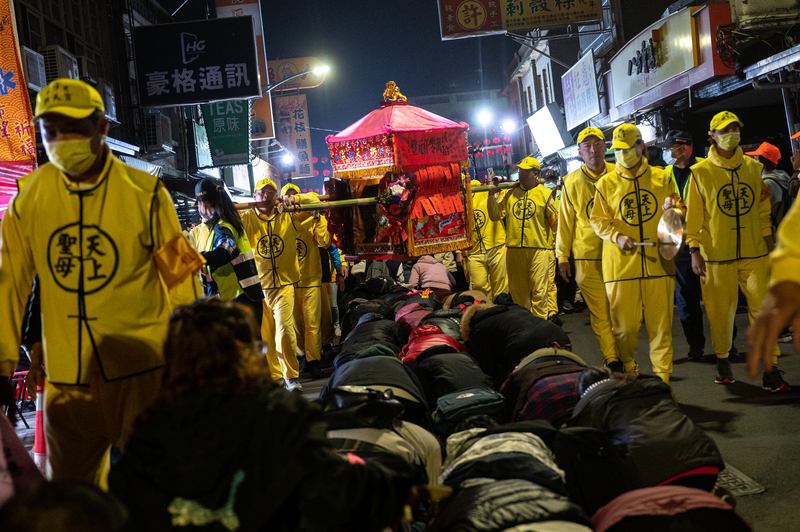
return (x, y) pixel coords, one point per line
(576, 236)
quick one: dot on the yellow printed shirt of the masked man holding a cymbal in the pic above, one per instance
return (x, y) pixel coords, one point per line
(631, 205)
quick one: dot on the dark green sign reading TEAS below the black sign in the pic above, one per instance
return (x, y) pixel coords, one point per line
(228, 132)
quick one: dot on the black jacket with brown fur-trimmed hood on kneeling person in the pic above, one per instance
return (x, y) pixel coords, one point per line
(499, 336)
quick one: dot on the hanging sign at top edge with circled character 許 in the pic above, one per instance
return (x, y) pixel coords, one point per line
(476, 18)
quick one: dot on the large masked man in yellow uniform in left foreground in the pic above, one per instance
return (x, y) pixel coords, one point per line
(90, 227)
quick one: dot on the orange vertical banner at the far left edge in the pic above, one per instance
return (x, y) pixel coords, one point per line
(17, 145)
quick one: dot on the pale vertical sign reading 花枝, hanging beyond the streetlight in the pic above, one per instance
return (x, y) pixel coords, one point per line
(294, 133)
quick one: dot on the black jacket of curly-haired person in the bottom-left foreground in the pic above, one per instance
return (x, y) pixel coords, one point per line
(264, 457)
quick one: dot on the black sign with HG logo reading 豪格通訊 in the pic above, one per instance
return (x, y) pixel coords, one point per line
(195, 62)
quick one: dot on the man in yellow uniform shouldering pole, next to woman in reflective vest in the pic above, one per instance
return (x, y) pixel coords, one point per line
(272, 236)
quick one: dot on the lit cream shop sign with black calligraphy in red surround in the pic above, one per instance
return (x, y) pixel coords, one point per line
(664, 50)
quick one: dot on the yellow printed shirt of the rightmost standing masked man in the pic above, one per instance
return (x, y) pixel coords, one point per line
(728, 208)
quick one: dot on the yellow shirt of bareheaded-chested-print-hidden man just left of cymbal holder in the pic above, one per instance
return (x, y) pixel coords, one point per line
(575, 231)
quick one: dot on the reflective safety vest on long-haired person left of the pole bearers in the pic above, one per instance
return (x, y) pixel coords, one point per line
(240, 275)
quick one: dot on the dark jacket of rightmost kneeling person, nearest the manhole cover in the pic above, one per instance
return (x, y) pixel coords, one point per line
(643, 419)
